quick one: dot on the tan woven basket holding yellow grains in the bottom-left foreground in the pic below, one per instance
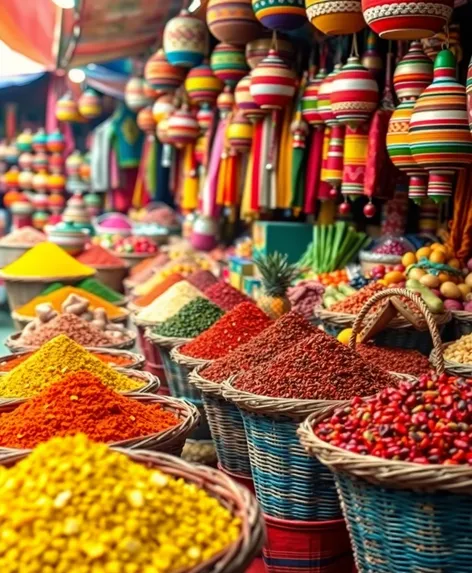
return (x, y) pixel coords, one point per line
(238, 500)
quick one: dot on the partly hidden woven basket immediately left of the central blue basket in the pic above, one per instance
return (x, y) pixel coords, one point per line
(226, 425)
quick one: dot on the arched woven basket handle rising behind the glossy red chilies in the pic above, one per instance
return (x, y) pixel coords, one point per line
(431, 323)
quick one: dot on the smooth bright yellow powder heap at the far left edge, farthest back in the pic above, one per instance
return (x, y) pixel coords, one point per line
(47, 260)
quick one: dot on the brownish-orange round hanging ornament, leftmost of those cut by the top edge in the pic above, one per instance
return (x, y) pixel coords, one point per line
(232, 21)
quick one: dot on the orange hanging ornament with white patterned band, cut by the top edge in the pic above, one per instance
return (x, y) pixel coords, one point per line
(335, 17)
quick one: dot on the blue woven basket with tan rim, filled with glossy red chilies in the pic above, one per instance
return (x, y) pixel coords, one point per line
(402, 517)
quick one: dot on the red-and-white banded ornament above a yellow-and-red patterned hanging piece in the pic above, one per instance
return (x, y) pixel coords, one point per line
(355, 93)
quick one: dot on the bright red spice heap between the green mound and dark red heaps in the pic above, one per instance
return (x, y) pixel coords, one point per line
(233, 329)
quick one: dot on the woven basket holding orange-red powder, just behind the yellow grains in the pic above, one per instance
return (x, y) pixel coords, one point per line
(170, 441)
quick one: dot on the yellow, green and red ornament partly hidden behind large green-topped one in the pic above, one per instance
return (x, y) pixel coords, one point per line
(398, 147)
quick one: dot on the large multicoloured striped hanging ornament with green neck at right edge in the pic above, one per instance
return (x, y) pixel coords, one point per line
(440, 140)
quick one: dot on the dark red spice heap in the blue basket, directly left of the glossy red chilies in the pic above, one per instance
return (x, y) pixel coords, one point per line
(317, 368)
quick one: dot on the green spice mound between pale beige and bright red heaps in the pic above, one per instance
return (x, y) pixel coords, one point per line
(192, 319)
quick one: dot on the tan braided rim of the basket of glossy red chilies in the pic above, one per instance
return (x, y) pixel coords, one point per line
(379, 471)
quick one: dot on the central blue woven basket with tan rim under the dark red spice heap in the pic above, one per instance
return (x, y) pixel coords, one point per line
(289, 483)
